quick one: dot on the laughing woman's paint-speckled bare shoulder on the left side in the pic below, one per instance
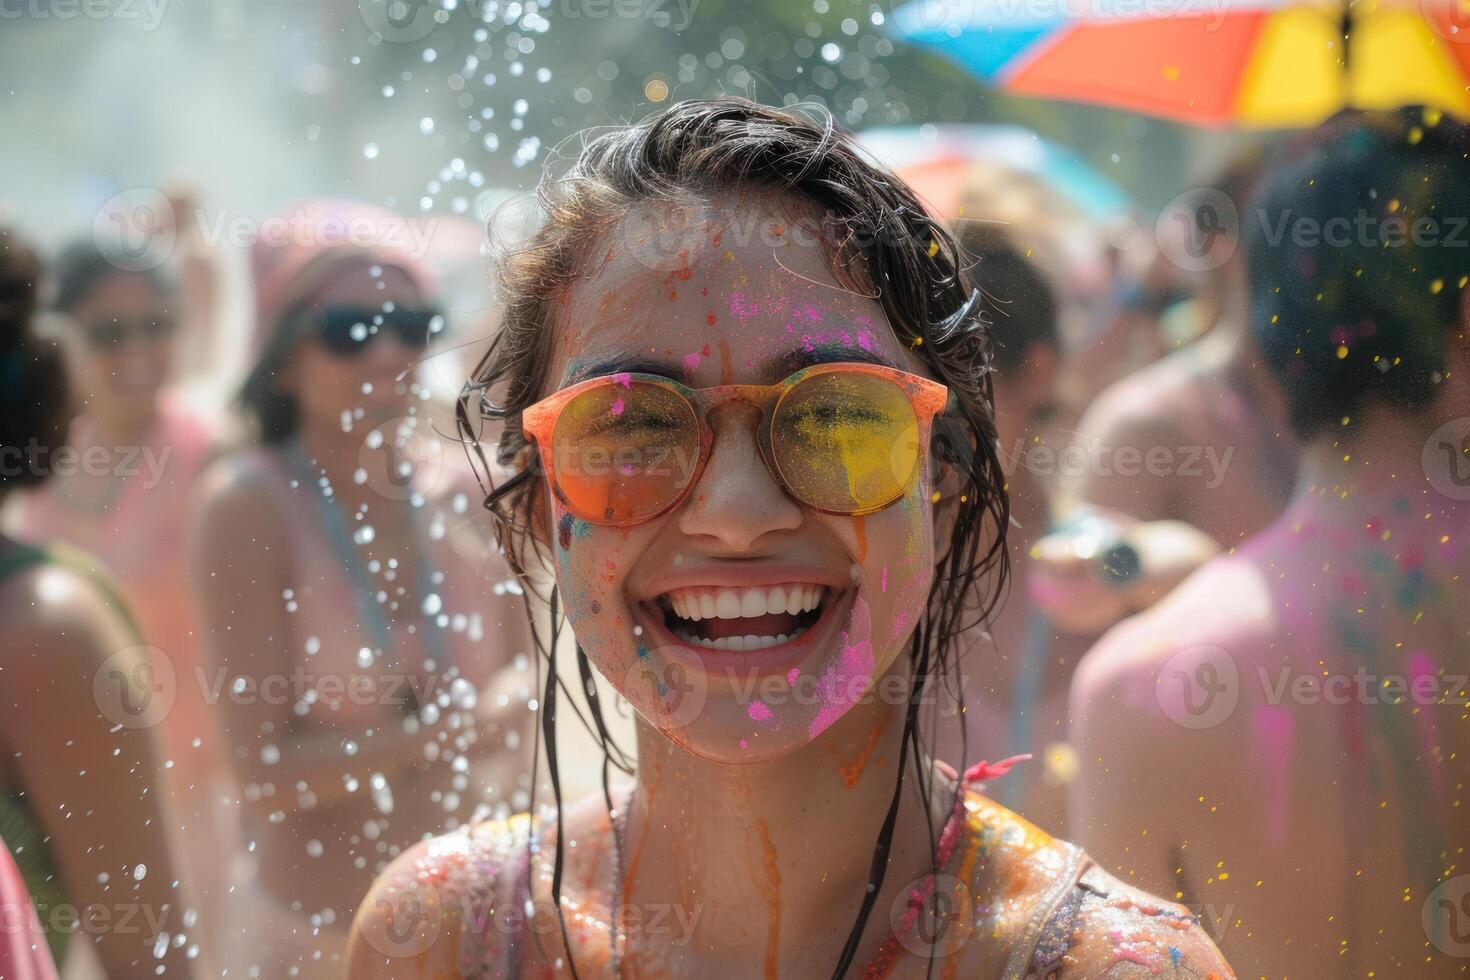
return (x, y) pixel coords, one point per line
(446, 907)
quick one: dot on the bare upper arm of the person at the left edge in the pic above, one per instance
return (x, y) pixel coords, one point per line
(89, 766)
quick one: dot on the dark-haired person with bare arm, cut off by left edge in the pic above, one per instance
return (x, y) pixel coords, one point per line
(83, 806)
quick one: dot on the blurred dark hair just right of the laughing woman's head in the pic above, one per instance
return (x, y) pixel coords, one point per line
(1019, 300)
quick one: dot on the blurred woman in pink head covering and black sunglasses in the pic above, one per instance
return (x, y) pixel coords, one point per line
(354, 609)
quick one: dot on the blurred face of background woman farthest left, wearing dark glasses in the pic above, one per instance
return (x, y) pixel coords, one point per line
(121, 345)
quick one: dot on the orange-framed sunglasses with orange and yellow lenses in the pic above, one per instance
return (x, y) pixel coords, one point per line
(843, 439)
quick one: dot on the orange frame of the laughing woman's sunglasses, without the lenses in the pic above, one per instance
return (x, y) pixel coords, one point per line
(539, 424)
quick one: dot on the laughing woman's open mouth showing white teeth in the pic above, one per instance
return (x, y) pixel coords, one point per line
(743, 619)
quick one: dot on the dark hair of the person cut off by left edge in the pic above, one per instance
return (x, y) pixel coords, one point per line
(33, 383)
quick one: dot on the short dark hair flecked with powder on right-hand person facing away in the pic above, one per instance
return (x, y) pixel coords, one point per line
(1356, 281)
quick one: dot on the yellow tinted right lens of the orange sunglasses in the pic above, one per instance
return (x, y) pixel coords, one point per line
(846, 443)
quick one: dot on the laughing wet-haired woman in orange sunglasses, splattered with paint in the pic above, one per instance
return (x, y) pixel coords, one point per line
(745, 380)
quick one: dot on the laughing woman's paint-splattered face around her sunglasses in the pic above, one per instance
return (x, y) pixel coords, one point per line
(743, 300)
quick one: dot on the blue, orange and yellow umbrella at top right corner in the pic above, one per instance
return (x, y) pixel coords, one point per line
(1271, 64)
